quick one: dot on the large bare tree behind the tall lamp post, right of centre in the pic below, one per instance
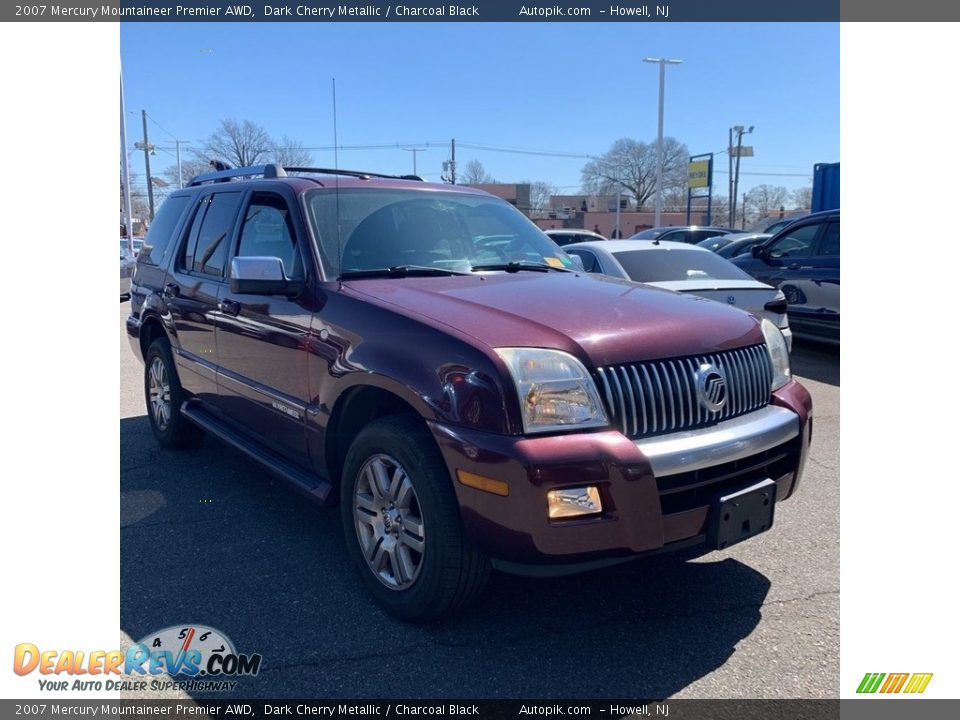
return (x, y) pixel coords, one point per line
(630, 166)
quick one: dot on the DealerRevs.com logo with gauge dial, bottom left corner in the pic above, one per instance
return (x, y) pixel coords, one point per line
(199, 657)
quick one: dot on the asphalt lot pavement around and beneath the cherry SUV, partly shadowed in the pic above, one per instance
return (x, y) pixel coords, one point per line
(208, 537)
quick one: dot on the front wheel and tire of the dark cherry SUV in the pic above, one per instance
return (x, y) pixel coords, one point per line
(401, 521)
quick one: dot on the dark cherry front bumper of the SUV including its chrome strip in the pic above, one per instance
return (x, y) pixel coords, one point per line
(656, 493)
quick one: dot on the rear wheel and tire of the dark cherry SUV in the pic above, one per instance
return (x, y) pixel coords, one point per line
(164, 396)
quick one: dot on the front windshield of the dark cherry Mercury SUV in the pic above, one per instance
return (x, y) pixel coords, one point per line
(455, 232)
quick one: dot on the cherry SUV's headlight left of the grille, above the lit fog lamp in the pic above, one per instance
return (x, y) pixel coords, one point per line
(556, 392)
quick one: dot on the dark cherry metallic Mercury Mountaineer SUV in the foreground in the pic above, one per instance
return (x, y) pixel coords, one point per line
(427, 355)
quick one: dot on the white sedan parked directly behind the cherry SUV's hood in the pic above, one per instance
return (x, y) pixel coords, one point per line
(687, 269)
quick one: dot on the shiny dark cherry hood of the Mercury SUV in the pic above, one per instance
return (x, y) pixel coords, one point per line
(603, 319)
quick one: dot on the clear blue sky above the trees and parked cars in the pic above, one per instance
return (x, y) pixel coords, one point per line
(562, 87)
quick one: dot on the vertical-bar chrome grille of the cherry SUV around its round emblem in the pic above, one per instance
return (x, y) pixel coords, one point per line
(660, 396)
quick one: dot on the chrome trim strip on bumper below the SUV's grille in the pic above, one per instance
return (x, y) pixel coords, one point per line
(722, 443)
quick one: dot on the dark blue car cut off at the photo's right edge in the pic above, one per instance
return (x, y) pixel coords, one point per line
(803, 261)
